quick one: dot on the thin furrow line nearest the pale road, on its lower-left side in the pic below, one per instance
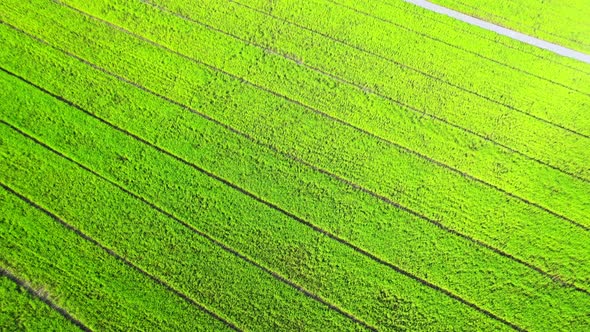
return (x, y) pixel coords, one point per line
(360, 12)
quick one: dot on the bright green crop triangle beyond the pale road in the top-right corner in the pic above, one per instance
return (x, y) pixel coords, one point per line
(562, 22)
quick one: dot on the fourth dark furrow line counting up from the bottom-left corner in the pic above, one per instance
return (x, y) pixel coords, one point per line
(307, 223)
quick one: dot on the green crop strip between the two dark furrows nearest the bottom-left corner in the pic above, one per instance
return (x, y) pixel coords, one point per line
(93, 286)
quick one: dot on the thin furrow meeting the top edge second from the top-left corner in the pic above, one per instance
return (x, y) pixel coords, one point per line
(365, 89)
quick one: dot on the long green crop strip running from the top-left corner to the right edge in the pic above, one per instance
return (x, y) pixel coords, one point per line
(337, 149)
